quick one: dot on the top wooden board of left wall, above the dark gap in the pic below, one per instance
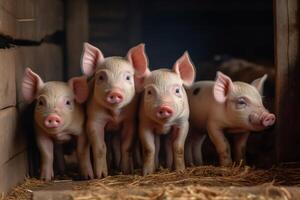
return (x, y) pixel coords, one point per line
(31, 19)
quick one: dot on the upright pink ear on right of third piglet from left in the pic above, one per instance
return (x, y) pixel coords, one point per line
(185, 68)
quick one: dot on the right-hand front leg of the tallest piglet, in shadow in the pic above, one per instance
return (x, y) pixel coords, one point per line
(126, 143)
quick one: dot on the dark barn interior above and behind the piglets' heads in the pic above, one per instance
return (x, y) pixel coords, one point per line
(206, 28)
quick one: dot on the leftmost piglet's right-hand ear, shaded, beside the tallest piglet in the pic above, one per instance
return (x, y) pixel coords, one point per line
(80, 88)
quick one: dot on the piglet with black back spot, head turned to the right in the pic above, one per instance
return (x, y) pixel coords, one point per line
(224, 106)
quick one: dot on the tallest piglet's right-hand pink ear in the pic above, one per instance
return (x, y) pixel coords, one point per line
(137, 57)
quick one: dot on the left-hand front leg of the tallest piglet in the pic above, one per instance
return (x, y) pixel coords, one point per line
(95, 133)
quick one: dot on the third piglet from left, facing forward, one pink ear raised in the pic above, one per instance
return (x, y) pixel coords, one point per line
(164, 109)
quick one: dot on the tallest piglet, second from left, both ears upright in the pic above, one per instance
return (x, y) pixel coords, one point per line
(112, 103)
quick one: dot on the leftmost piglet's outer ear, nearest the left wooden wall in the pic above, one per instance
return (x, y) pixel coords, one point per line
(31, 84)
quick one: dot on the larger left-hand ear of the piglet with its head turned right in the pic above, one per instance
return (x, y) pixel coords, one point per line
(223, 85)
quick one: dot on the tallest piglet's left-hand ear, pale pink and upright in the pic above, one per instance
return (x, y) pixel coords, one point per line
(90, 57)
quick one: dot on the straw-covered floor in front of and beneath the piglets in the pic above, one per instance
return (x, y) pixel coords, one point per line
(205, 182)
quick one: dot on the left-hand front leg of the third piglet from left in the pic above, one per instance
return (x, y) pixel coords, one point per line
(148, 145)
